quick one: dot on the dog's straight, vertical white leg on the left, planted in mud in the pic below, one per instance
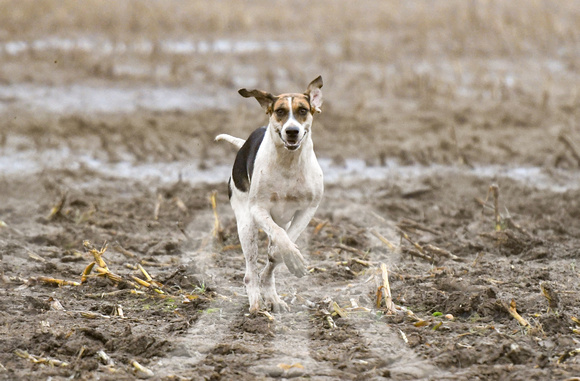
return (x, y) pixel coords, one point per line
(248, 233)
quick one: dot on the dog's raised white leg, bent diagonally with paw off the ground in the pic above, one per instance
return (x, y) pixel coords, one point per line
(280, 241)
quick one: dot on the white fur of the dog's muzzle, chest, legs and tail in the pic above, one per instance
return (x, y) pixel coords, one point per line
(285, 191)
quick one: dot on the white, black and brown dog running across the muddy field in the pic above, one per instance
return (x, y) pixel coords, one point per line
(276, 185)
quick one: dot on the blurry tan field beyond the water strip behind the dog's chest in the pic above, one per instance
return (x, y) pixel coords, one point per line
(479, 81)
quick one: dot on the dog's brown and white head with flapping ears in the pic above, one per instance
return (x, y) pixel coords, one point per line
(290, 114)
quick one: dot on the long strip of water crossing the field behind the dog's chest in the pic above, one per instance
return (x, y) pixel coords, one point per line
(30, 162)
